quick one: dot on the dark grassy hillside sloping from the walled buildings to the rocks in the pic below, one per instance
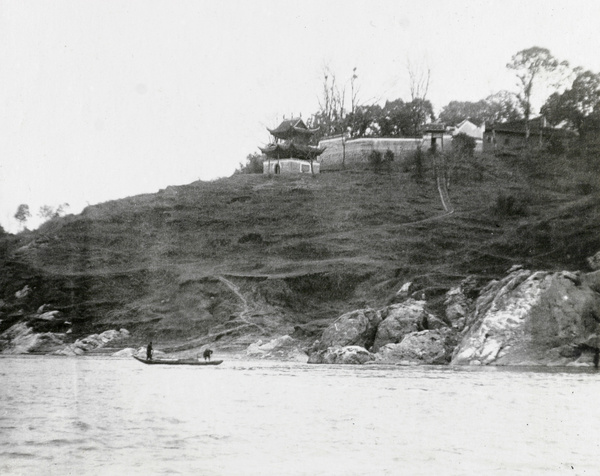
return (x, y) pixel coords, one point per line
(252, 256)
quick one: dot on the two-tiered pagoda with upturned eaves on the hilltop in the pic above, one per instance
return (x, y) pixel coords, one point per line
(289, 151)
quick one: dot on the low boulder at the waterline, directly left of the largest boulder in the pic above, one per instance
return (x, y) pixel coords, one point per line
(433, 347)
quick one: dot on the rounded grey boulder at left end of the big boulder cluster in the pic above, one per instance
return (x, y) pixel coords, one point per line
(351, 329)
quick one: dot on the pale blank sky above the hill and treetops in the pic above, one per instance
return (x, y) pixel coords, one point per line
(104, 99)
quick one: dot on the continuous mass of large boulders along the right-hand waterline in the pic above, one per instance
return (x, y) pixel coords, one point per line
(527, 318)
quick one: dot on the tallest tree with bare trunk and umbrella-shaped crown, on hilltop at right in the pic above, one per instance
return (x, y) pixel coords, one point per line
(531, 65)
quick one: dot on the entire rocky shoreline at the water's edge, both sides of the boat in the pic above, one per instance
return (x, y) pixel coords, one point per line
(528, 318)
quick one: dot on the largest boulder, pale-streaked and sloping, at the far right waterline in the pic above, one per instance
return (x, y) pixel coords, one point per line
(531, 318)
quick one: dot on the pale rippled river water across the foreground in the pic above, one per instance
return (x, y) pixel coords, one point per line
(106, 416)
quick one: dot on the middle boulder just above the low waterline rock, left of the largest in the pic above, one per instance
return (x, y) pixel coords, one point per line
(402, 319)
